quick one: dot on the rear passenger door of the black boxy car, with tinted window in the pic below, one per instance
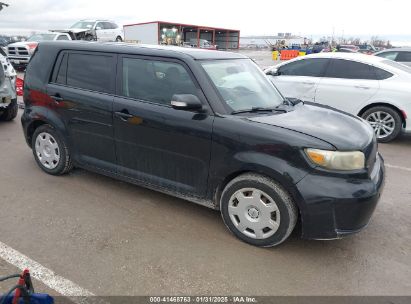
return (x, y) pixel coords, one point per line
(82, 89)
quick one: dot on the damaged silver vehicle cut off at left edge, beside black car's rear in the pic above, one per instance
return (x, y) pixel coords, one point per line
(8, 96)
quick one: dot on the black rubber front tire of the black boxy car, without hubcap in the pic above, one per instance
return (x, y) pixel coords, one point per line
(288, 212)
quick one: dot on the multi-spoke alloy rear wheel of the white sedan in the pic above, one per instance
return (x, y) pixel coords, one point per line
(385, 121)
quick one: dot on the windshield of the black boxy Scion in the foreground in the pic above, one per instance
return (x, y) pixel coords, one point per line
(242, 85)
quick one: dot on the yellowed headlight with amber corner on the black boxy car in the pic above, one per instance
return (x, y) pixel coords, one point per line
(336, 160)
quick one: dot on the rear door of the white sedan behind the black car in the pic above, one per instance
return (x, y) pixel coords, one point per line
(347, 85)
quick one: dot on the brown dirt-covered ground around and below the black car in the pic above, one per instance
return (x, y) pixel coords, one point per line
(113, 238)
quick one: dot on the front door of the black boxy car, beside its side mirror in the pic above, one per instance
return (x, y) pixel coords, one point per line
(155, 143)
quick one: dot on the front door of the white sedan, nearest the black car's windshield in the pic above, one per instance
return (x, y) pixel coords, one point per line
(299, 79)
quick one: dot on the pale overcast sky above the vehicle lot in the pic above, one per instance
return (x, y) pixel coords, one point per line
(385, 18)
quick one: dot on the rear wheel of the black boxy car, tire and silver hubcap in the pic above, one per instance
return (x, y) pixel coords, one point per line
(50, 151)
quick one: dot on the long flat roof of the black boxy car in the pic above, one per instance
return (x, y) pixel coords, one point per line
(154, 50)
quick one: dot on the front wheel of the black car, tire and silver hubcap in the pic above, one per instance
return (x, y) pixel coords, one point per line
(258, 210)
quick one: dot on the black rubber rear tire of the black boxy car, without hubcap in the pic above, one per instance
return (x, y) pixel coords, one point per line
(64, 164)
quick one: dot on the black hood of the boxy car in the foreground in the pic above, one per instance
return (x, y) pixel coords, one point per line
(342, 130)
